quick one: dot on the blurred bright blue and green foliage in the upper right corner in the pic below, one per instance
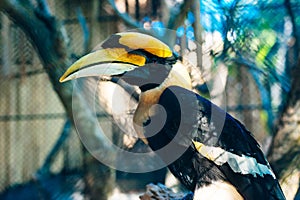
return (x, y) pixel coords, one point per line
(257, 35)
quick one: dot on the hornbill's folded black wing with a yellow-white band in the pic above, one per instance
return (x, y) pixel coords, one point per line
(192, 120)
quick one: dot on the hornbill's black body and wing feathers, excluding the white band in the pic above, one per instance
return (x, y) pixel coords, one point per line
(187, 117)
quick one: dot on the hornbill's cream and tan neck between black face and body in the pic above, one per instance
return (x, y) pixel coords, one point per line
(178, 76)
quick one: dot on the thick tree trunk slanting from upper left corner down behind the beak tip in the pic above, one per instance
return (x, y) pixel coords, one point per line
(49, 38)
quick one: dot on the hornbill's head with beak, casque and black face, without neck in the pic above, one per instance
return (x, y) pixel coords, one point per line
(137, 58)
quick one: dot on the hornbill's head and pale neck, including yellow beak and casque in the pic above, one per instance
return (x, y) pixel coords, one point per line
(138, 59)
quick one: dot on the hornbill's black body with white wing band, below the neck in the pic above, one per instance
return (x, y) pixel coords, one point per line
(211, 158)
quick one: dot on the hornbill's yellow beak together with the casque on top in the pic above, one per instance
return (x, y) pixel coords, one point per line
(115, 57)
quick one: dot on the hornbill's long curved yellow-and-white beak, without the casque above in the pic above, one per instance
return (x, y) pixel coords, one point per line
(103, 62)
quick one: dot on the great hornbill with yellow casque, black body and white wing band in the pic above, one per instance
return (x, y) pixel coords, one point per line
(208, 150)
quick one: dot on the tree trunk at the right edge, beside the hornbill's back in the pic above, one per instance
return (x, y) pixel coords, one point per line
(284, 155)
